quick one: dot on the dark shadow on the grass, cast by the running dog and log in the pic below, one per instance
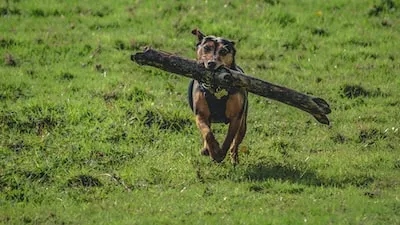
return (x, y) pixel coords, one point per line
(261, 172)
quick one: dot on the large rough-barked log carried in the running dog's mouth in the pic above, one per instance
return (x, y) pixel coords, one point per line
(225, 78)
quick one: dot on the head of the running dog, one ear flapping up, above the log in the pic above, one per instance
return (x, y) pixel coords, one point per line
(214, 52)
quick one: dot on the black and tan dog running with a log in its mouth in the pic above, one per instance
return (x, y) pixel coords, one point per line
(213, 104)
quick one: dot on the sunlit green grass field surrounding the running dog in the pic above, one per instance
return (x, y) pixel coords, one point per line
(89, 137)
